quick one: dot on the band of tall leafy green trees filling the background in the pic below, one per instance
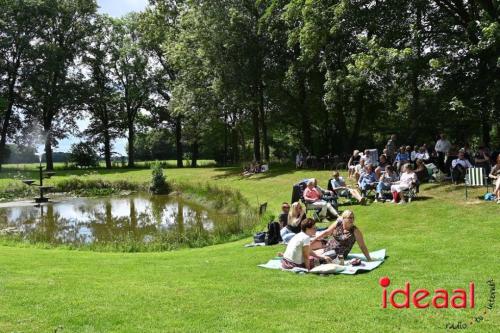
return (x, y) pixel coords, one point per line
(238, 80)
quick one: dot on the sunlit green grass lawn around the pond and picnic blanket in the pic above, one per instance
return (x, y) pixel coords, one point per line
(438, 241)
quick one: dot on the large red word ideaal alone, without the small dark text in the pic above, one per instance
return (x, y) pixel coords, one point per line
(440, 299)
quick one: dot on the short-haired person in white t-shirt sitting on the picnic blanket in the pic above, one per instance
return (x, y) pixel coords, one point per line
(298, 252)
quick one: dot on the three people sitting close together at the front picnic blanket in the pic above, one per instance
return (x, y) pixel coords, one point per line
(307, 248)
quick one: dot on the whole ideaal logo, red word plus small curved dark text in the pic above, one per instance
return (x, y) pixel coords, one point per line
(422, 298)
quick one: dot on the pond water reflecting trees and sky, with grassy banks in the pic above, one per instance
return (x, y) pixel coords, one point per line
(143, 219)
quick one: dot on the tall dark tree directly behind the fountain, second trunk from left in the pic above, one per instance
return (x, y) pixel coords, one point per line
(52, 85)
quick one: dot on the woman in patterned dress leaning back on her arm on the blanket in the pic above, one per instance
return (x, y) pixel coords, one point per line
(343, 234)
